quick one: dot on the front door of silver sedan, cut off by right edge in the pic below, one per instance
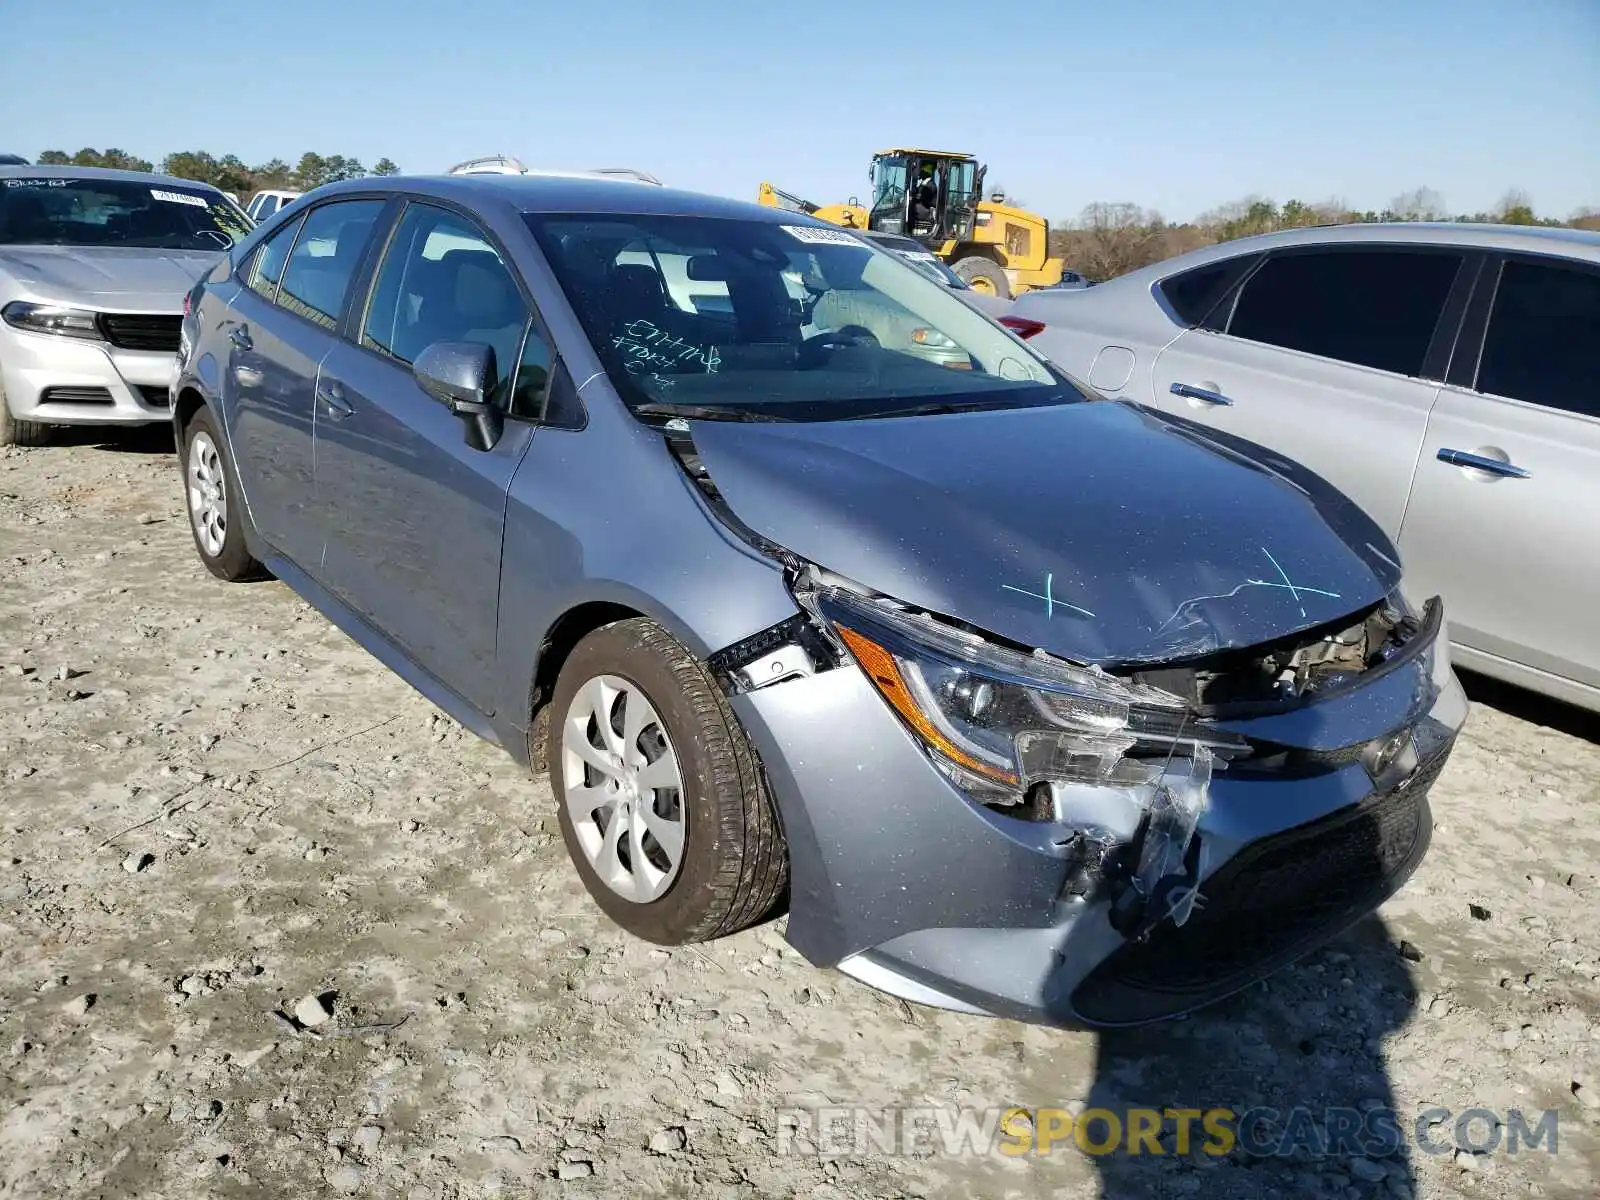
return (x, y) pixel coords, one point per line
(1503, 513)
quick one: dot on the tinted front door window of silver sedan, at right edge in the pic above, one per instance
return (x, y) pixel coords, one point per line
(1543, 343)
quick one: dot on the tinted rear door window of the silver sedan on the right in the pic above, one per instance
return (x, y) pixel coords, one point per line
(1372, 308)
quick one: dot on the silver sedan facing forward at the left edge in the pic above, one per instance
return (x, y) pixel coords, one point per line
(94, 271)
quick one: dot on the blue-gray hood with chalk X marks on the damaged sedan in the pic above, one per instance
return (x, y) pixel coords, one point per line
(1098, 532)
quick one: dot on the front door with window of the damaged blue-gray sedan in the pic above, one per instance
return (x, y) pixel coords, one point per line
(417, 516)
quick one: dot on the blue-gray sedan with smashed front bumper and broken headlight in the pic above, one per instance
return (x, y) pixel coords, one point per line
(1023, 702)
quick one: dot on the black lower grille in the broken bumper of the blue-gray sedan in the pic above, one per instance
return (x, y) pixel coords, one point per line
(1268, 906)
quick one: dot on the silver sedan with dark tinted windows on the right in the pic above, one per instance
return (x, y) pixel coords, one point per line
(1446, 377)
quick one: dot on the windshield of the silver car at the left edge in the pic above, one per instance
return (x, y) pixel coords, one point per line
(57, 212)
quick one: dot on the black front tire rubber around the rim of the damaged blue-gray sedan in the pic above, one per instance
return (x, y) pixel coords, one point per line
(735, 862)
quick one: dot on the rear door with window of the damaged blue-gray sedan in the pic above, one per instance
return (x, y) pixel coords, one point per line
(282, 327)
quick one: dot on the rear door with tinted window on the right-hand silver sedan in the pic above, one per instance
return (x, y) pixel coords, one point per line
(1324, 354)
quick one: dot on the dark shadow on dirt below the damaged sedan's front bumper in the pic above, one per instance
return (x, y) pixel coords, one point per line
(1300, 1063)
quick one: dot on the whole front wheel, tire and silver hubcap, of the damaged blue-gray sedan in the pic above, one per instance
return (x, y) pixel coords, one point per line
(663, 804)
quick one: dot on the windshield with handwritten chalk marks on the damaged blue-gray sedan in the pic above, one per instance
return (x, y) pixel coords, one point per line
(777, 321)
